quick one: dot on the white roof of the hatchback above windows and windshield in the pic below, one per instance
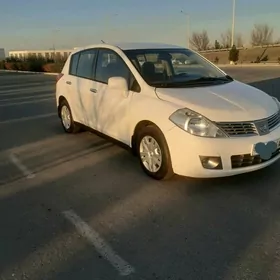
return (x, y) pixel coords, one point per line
(131, 46)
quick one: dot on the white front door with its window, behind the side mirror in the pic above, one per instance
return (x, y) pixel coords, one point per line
(114, 106)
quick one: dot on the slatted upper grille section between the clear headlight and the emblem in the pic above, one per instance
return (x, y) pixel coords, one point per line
(238, 129)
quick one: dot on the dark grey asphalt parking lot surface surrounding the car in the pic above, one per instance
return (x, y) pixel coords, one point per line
(79, 207)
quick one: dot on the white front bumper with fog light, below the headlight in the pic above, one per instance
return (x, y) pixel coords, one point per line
(185, 151)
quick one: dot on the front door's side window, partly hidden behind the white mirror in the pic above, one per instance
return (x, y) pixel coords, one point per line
(110, 64)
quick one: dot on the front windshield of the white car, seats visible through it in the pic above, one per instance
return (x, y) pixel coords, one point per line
(175, 68)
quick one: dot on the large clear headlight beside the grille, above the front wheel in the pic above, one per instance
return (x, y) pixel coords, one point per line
(196, 124)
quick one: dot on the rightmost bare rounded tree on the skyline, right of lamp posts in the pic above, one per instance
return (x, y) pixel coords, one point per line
(261, 35)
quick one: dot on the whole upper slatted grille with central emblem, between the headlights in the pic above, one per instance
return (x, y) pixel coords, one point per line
(250, 128)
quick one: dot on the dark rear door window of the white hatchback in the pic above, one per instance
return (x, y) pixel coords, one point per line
(86, 64)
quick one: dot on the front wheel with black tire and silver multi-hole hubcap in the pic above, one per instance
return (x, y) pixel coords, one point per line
(162, 169)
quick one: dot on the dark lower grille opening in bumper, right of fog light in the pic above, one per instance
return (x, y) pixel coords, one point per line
(245, 160)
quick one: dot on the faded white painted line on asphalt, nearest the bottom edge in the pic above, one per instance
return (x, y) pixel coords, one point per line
(100, 245)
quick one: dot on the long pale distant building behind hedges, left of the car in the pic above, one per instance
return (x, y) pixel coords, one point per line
(48, 54)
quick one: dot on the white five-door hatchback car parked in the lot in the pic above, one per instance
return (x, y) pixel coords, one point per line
(194, 121)
